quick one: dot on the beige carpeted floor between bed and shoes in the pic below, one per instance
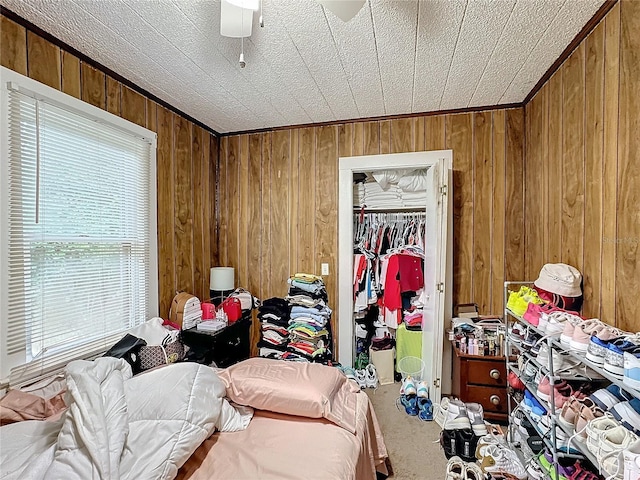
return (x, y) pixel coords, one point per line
(412, 444)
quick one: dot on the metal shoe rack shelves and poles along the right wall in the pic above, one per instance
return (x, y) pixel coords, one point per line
(549, 438)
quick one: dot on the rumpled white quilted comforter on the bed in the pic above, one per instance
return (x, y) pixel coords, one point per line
(119, 427)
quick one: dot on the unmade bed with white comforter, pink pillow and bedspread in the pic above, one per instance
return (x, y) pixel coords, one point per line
(300, 421)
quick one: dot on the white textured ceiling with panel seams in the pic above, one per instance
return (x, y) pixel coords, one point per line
(307, 66)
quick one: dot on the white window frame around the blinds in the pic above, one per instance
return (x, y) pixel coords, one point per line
(10, 80)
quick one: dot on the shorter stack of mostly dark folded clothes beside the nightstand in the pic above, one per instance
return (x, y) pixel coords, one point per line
(274, 315)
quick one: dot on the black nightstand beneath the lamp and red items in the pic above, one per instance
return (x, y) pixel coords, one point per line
(224, 347)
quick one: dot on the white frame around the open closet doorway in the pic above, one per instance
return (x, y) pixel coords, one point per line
(347, 166)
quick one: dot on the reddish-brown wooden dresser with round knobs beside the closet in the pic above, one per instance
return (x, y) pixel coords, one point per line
(482, 380)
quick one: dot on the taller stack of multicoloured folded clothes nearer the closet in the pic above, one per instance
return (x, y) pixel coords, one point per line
(310, 319)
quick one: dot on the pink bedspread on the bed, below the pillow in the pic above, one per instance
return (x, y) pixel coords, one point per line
(281, 447)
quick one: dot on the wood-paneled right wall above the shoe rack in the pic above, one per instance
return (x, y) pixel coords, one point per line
(582, 172)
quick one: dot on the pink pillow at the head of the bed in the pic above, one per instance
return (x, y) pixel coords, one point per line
(293, 388)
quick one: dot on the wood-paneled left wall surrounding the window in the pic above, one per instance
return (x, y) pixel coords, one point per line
(187, 156)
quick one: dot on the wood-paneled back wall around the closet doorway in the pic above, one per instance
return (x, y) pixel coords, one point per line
(278, 210)
